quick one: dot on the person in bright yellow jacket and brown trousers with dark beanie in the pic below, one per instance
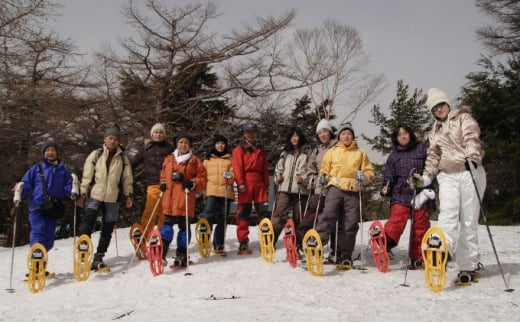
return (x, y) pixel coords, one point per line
(344, 169)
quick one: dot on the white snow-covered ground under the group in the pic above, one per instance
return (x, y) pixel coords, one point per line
(253, 290)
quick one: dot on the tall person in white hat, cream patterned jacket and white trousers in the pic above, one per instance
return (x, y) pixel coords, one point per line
(455, 150)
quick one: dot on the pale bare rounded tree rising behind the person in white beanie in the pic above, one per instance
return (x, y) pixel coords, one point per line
(337, 50)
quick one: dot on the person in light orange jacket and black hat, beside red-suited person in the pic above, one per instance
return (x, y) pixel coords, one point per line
(219, 189)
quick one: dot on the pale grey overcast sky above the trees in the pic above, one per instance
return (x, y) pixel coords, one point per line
(426, 43)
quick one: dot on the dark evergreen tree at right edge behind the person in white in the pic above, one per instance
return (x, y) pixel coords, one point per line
(493, 96)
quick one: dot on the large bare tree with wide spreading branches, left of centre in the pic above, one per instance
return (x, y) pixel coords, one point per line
(173, 43)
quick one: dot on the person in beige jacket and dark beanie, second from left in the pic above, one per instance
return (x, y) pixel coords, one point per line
(105, 169)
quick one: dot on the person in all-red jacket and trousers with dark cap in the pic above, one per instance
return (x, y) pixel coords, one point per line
(252, 177)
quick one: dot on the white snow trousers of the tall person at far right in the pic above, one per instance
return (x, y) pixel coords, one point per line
(459, 214)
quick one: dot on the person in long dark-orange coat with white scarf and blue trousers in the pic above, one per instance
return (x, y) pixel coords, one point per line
(183, 175)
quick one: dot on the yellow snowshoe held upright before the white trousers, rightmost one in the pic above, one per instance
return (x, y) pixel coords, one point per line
(434, 251)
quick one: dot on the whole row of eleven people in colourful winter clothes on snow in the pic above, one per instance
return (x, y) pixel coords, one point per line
(320, 188)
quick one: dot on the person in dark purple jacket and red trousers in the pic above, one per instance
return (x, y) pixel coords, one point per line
(408, 157)
